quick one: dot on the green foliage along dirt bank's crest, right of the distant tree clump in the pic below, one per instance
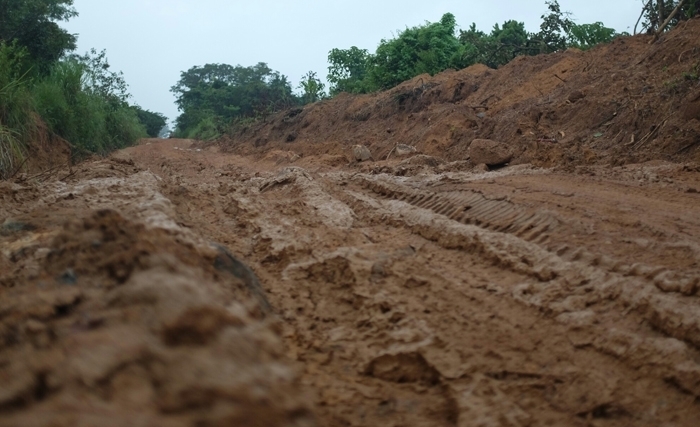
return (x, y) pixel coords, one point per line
(435, 47)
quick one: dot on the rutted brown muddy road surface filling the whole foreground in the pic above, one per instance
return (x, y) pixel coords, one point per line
(519, 297)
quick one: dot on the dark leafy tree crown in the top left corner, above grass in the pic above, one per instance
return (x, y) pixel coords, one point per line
(32, 23)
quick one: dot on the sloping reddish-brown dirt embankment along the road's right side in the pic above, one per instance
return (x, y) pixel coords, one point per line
(625, 102)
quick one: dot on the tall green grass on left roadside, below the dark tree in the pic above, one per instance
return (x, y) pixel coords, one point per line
(66, 99)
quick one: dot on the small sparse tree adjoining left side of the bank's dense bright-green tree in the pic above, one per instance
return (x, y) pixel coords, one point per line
(348, 71)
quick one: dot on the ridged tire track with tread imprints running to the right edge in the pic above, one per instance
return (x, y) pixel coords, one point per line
(592, 293)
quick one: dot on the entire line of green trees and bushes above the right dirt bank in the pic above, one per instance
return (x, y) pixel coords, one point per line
(216, 98)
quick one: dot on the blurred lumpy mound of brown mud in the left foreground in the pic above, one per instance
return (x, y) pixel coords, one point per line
(124, 319)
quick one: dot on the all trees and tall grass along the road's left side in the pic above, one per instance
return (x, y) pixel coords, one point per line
(45, 87)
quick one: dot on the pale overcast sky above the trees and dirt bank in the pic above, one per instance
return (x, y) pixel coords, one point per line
(152, 41)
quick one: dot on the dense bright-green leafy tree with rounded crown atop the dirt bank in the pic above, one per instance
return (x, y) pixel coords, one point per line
(430, 48)
